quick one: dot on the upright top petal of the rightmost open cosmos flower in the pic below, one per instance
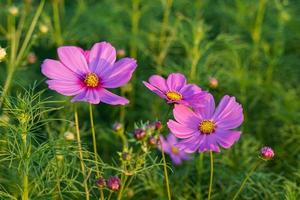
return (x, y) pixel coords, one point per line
(207, 111)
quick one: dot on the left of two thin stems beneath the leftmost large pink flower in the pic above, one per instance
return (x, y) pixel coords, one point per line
(87, 193)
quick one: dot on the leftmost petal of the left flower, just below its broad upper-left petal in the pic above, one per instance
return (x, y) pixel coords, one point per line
(54, 69)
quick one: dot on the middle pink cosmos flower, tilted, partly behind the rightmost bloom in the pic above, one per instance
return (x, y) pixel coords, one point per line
(175, 89)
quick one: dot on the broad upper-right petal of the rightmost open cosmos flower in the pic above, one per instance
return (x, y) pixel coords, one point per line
(229, 113)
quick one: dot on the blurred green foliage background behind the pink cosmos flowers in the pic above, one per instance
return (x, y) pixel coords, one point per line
(251, 47)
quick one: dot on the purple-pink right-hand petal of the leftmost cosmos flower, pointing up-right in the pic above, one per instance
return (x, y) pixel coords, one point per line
(119, 74)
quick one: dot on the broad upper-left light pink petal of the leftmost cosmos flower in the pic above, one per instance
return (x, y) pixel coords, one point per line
(73, 58)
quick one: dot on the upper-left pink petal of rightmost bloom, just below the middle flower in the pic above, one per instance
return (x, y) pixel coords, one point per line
(185, 115)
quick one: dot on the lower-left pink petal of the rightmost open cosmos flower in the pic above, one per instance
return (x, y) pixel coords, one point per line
(179, 130)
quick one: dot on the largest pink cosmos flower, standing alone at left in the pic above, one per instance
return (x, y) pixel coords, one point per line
(86, 74)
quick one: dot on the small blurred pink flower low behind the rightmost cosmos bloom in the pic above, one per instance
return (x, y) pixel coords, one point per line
(169, 147)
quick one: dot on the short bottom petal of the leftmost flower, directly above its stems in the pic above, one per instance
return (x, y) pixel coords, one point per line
(88, 95)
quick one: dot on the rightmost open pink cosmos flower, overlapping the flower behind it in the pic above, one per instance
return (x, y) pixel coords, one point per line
(207, 128)
